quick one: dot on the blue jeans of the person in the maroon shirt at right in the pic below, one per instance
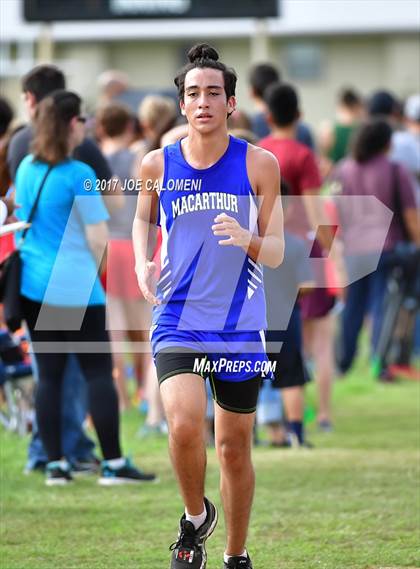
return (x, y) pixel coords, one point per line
(364, 296)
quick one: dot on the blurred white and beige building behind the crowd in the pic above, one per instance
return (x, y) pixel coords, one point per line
(320, 45)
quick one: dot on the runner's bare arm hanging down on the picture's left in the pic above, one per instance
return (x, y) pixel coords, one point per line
(144, 226)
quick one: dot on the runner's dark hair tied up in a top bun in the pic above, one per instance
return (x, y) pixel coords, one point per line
(204, 56)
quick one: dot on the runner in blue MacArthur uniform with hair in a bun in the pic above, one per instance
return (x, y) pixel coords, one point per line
(209, 303)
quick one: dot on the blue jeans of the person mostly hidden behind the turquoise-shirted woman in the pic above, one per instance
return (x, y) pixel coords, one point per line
(75, 444)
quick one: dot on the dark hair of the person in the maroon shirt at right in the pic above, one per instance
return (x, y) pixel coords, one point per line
(372, 139)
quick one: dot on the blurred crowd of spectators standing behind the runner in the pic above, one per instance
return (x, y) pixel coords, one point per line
(78, 279)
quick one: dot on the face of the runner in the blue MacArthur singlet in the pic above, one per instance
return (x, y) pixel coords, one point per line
(205, 104)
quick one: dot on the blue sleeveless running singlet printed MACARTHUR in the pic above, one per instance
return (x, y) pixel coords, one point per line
(204, 285)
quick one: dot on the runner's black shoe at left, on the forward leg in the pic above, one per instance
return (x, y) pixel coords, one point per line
(189, 551)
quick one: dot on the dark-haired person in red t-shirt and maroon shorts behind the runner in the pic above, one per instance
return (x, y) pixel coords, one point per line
(300, 170)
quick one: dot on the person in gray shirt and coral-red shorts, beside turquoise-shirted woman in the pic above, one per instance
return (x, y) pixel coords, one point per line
(129, 315)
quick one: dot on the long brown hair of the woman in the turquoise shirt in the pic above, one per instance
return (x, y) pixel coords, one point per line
(52, 126)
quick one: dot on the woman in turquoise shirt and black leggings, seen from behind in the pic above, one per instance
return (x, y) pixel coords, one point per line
(63, 300)
